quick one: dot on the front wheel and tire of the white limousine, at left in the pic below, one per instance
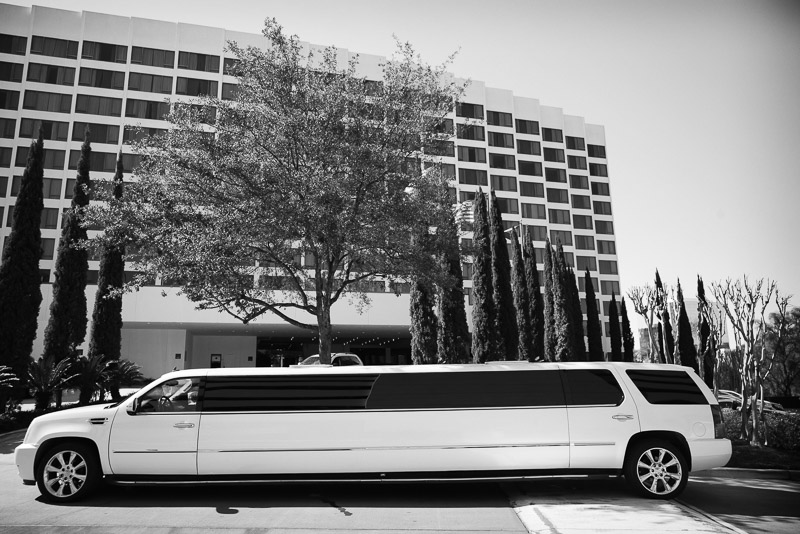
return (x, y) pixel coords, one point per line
(67, 472)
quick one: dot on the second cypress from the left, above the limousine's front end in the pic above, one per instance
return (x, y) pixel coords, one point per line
(66, 328)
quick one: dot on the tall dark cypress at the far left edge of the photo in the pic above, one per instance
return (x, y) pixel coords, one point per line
(20, 291)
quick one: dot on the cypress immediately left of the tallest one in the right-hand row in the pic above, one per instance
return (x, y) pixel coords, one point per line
(453, 333)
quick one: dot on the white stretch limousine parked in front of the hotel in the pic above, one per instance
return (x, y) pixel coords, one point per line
(652, 423)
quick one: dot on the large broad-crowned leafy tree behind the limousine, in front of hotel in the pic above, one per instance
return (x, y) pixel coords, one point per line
(310, 160)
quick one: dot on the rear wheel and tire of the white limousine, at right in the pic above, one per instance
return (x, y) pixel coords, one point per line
(656, 469)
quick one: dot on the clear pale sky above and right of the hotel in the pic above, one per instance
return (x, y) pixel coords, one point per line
(700, 100)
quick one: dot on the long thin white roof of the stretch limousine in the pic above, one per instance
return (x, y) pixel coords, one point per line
(437, 368)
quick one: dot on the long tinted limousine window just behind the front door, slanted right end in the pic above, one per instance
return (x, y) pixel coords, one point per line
(286, 393)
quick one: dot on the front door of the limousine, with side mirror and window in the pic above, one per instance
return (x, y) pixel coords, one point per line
(160, 438)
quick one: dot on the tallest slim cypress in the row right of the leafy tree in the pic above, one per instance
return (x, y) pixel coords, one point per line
(484, 333)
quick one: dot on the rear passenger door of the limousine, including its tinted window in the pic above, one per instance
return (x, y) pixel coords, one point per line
(602, 418)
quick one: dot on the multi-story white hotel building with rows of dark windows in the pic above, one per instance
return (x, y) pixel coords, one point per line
(61, 70)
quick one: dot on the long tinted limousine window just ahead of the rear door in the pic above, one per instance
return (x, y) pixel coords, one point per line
(482, 389)
